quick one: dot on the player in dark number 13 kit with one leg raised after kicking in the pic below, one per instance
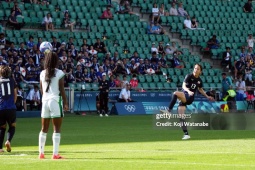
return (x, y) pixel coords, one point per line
(191, 84)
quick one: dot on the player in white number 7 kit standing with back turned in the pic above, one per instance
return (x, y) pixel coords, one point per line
(53, 94)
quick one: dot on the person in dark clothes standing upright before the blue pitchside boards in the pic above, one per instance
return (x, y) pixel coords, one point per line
(103, 95)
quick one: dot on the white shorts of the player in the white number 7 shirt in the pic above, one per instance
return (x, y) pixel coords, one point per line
(52, 109)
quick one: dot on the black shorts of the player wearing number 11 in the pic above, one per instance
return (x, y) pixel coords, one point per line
(8, 116)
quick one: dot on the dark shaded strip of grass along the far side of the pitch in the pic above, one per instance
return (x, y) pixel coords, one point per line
(113, 129)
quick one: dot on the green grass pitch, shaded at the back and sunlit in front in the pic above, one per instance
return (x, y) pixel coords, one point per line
(128, 142)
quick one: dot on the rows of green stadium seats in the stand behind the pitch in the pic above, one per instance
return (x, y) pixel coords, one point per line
(126, 33)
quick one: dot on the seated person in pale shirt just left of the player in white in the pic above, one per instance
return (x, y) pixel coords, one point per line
(34, 99)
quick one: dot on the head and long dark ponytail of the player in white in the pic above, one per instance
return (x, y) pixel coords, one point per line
(50, 63)
